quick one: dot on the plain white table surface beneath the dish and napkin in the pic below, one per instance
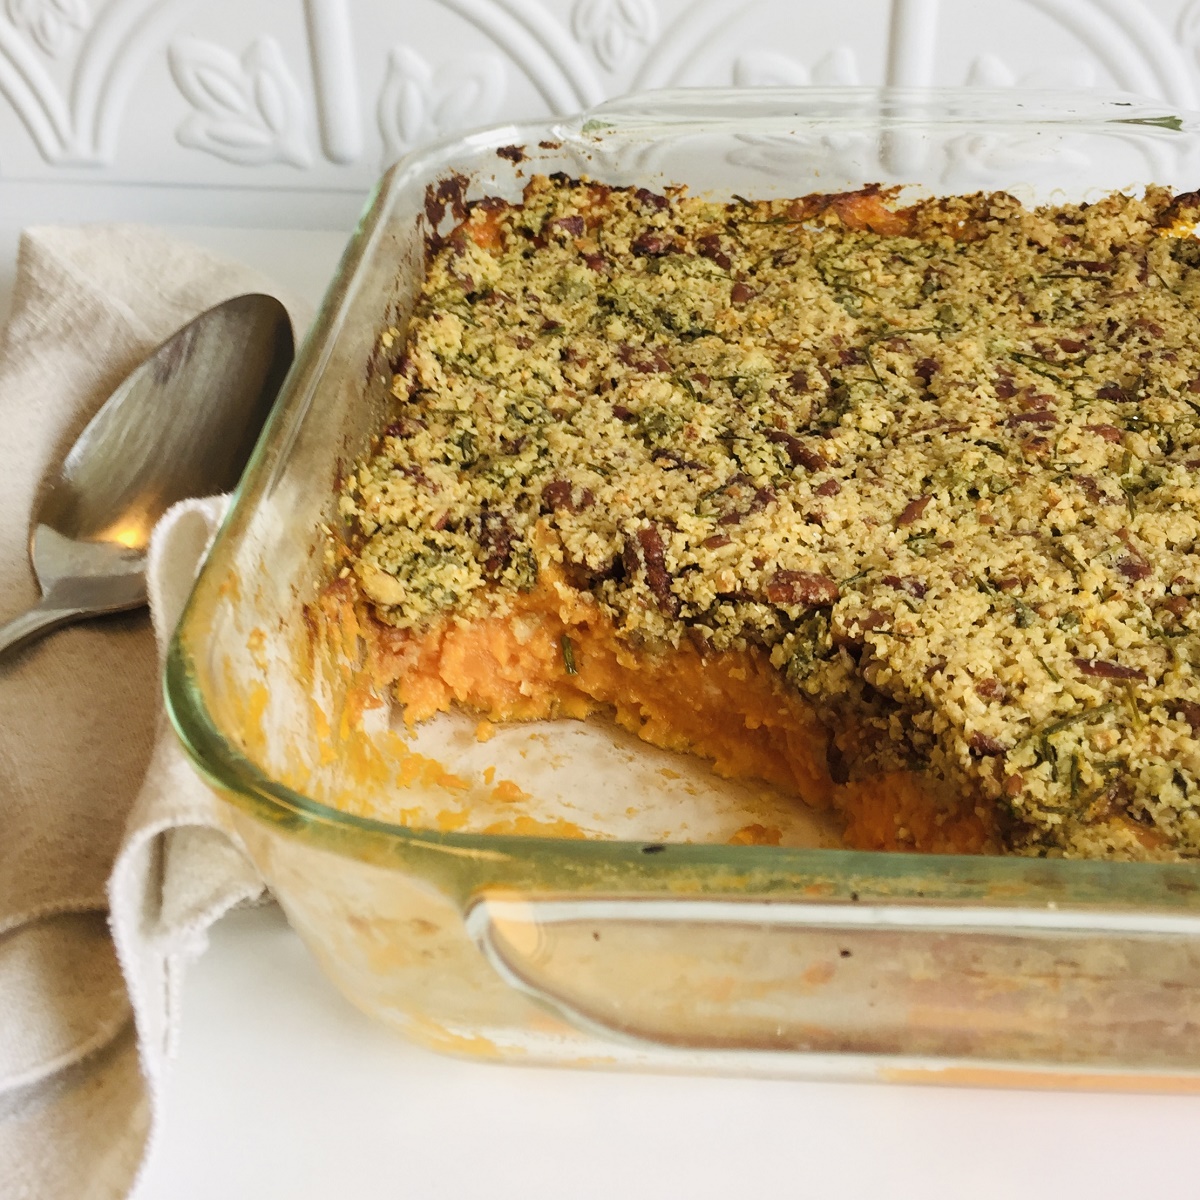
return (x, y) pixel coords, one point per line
(283, 1090)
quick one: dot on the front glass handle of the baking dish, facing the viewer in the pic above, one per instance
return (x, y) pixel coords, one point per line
(1047, 986)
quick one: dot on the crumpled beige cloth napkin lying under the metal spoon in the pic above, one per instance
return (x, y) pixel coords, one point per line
(101, 818)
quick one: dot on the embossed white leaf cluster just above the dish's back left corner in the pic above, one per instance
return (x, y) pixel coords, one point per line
(419, 103)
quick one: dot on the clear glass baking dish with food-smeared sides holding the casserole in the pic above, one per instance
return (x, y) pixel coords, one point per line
(638, 951)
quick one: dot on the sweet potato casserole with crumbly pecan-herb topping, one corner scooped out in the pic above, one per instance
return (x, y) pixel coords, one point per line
(892, 507)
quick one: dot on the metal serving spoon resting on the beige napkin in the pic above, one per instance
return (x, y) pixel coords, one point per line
(183, 424)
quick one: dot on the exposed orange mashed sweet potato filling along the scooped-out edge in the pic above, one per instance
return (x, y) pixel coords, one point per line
(729, 707)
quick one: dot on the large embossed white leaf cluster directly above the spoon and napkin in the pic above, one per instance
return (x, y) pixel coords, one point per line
(248, 111)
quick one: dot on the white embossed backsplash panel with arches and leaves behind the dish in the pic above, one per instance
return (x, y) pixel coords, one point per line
(313, 97)
